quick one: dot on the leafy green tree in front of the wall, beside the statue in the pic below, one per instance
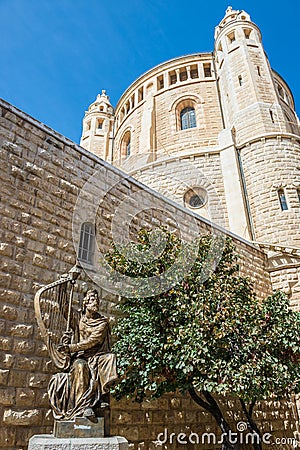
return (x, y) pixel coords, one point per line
(206, 335)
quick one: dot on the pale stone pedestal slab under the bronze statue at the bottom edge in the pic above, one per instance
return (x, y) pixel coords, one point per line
(50, 442)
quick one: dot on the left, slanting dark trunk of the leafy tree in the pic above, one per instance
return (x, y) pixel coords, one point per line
(210, 405)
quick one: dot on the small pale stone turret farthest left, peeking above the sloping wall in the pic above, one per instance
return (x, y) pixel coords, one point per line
(97, 134)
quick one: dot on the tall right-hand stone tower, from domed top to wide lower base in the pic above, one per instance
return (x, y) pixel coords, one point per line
(259, 109)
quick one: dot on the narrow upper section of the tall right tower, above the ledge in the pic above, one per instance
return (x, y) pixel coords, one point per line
(250, 96)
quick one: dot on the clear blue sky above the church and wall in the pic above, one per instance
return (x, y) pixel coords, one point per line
(56, 55)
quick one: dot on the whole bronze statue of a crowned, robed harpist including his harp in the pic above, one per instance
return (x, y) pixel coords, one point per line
(83, 353)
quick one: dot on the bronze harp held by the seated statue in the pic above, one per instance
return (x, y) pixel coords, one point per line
(53, 308)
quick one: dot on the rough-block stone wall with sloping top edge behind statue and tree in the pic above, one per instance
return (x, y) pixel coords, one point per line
(42, 175)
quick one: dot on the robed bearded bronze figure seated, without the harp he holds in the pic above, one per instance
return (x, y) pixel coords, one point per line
(82, 390)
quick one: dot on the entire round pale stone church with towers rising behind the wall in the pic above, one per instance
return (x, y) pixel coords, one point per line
(218, 133)
